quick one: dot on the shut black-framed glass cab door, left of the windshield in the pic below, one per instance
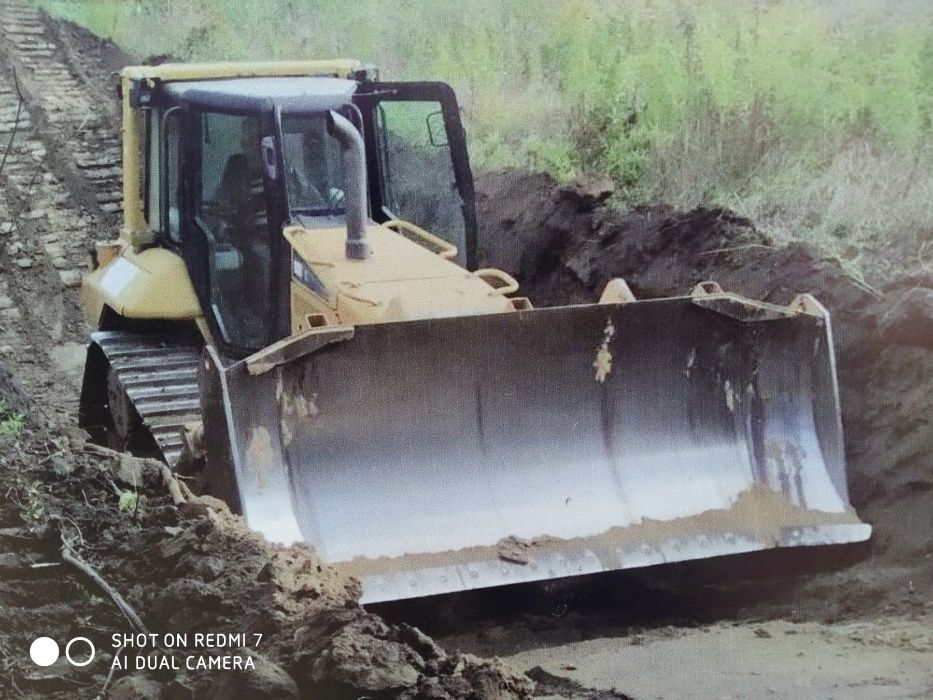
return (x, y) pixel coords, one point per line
(231, 236)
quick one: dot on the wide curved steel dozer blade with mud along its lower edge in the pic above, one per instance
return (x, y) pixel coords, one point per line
(441, 455)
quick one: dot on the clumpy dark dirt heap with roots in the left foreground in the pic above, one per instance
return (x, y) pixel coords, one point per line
(186, 565)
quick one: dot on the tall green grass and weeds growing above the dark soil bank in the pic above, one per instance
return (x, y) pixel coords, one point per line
(813, 117)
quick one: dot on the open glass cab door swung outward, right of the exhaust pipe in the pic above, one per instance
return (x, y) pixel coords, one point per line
(418, 166)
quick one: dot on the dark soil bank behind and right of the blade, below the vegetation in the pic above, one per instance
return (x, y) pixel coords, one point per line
(565, 243)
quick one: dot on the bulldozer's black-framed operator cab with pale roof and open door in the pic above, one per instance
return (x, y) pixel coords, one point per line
(231, 162)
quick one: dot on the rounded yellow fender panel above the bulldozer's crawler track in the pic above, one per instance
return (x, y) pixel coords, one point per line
(151, 284)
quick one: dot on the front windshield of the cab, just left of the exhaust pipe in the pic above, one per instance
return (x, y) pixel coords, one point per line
(313, 165)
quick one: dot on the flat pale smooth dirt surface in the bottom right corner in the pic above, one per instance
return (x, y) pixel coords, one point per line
(776, 659)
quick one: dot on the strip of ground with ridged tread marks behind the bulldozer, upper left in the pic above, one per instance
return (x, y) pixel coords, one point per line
(61, 192)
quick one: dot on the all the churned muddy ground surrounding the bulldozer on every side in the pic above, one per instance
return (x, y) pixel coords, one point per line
(825, 623)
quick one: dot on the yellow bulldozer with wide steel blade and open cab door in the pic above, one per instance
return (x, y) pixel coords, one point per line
(296, 281)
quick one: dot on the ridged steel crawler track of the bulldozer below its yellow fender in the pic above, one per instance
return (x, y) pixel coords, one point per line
(140, 392)
